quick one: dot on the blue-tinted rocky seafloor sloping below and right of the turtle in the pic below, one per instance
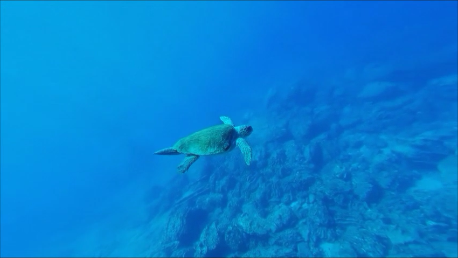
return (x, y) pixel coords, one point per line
(368, 170)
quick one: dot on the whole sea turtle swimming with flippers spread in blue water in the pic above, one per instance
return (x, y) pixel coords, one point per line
(212, 140)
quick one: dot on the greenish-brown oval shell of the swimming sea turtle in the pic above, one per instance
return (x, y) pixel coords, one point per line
(212, 140)
